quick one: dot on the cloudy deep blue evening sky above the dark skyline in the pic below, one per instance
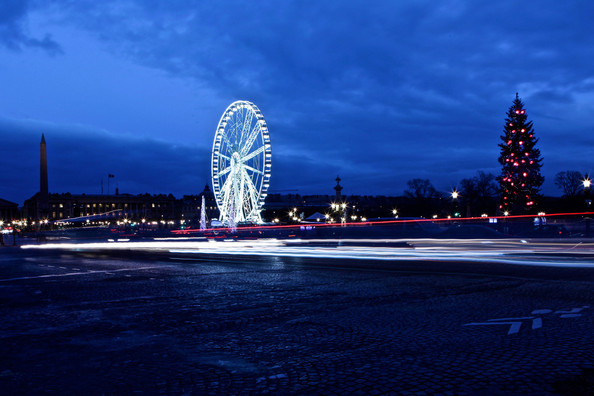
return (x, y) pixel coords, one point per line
(378, 92)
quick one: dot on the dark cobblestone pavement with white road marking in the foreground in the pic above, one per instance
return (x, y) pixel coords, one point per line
(103, 325)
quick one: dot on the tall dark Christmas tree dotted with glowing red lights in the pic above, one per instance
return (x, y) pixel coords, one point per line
(520, 161)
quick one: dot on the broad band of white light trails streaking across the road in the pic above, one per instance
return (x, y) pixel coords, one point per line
(519, 252)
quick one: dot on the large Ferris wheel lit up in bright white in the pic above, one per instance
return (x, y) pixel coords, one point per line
(241, 163)
